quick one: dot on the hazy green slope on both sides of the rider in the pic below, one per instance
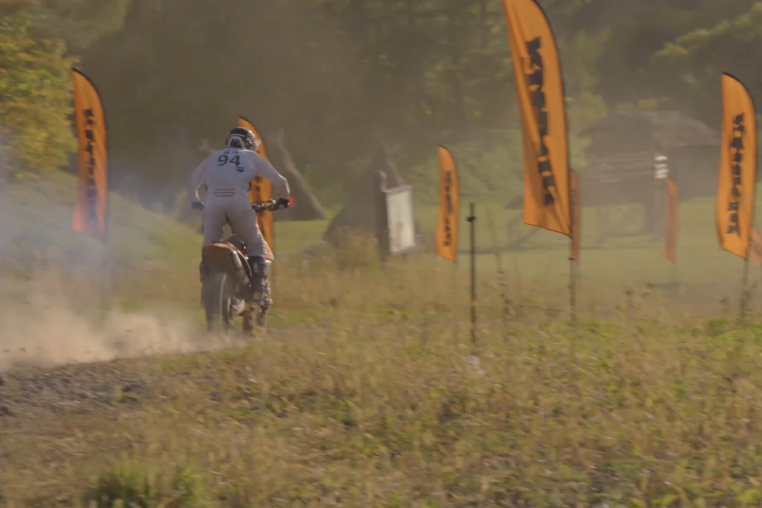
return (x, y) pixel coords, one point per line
(151, 259)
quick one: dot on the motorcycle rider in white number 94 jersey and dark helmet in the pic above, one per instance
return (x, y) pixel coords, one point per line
(228, 174)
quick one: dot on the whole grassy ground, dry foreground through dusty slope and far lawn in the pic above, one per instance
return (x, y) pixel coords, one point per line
(368, 391)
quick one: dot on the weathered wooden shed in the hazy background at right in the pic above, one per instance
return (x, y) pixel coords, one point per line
(631, 155)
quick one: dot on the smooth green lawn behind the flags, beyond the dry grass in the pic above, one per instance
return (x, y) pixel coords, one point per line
(708, 273)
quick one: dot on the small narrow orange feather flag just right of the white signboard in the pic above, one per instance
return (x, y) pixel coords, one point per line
(449, 207)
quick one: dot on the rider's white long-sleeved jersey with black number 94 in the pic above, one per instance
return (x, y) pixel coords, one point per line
(228, 174)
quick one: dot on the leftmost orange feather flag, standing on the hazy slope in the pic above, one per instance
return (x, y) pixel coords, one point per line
(91, 213)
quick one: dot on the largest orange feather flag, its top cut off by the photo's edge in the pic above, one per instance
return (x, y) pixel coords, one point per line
(540, 89)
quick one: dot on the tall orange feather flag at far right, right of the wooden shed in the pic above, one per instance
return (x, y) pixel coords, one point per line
(738, 168)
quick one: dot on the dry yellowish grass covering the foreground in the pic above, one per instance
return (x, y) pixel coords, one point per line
(373, 395)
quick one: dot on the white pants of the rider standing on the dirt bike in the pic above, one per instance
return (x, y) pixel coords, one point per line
(238, 213)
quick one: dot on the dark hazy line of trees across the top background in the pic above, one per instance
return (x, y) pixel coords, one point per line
(340, 75)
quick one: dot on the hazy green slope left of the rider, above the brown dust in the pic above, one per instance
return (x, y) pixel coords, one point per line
(36, 238)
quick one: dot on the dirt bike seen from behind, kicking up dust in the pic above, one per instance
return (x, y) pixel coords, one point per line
(226, 288)
